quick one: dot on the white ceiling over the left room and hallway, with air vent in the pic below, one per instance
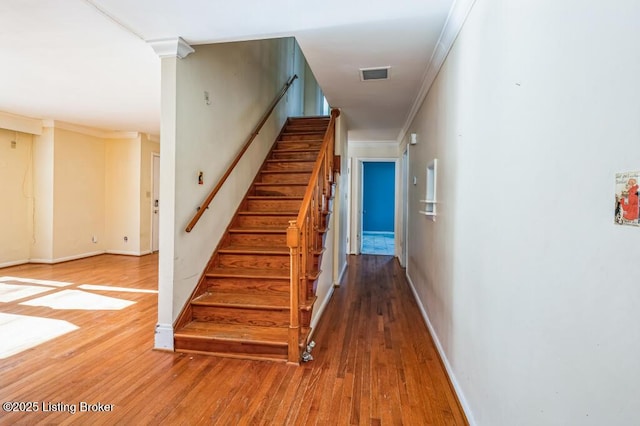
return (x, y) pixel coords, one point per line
(87, 61)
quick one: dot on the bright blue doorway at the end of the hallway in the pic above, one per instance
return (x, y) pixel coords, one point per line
(378, 207)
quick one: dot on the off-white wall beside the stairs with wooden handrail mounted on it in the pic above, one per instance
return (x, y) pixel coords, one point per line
(242, 79)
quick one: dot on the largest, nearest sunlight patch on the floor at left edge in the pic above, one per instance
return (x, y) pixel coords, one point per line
(20, 332)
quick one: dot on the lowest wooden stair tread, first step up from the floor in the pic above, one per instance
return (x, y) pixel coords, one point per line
(276, 336)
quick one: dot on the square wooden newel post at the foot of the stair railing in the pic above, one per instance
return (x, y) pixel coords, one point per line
(293, 241)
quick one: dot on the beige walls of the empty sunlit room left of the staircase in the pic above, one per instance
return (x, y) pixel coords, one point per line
(74, 192)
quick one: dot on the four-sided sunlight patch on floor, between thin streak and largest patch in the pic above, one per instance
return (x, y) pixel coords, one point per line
(77, 299)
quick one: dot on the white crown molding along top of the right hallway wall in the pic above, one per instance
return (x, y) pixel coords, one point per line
(457, 16)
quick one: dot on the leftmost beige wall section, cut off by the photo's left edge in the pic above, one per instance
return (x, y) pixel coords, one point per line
(16, 192)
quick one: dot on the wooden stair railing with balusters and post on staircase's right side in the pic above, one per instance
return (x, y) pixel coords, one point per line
(304, 236)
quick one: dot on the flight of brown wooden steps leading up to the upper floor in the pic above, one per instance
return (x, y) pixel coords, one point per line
(241, 306)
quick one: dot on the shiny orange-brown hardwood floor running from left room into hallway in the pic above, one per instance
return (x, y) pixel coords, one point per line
(375, 363)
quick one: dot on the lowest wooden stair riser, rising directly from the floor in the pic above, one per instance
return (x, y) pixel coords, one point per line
(230, 348)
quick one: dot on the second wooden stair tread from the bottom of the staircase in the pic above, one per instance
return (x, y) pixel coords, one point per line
(243, 300)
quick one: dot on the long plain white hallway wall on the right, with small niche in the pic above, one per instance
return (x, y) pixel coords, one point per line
(528, 285)
